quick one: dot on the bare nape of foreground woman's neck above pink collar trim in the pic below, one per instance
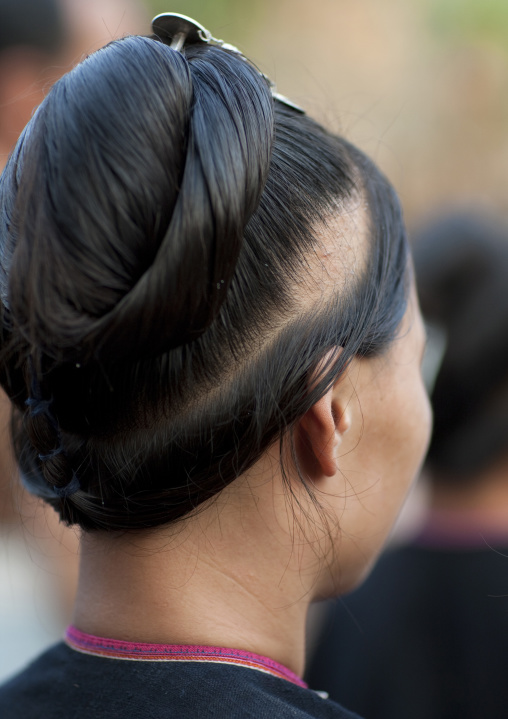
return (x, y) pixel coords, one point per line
(213, 583)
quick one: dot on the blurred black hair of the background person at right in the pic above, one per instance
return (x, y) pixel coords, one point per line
(461, 263)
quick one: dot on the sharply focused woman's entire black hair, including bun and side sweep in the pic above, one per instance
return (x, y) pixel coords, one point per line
(157, 215)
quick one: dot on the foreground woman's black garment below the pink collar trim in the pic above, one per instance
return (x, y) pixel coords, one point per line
(65, 684)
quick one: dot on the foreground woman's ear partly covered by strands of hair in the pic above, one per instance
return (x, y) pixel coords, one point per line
(320, 433)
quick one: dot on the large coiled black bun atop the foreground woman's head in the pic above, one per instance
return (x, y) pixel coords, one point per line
(158, 200)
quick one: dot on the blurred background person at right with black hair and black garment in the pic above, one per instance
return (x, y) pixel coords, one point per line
(427, 634)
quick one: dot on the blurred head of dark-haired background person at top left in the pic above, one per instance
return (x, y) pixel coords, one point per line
(42, 39)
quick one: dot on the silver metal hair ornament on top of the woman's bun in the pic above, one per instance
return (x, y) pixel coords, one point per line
(179, 30)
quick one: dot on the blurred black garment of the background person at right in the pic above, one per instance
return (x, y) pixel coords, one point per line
(426, 637)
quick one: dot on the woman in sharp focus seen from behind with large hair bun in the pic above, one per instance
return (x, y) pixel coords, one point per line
(212, 345)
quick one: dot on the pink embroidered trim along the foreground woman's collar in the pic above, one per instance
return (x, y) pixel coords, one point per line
(116, 649)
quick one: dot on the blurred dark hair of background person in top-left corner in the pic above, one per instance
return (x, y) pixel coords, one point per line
(37, 24)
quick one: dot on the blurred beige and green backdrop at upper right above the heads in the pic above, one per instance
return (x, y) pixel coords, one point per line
(421, 86)
